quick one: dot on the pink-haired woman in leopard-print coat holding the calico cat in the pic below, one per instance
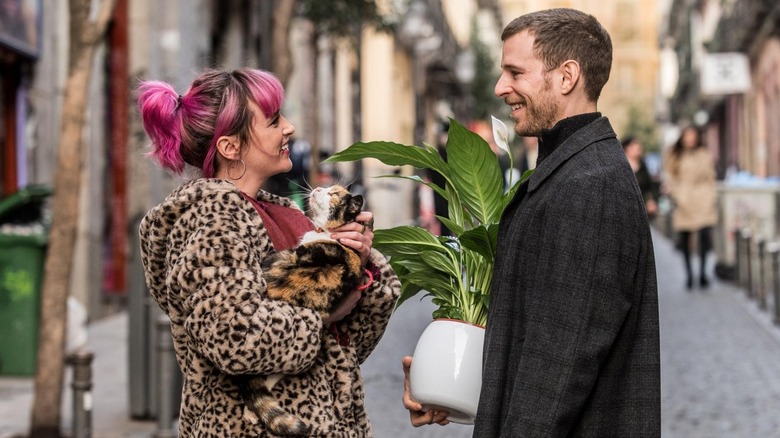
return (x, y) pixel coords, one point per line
(202, 250)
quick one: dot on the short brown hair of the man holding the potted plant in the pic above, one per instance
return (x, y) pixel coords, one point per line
(561, 34)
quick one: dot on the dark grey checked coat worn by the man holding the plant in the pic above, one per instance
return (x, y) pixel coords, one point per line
(572, 346)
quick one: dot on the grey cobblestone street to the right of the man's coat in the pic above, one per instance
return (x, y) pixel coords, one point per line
(720, 358)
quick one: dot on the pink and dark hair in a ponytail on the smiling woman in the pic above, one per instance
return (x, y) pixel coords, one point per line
(186, 129)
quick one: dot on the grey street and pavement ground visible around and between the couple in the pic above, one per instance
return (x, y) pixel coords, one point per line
(720, 368)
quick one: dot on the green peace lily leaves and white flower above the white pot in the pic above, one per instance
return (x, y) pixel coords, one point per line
(456, 271)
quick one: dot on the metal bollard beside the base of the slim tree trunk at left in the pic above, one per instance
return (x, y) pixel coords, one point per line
(81, 360)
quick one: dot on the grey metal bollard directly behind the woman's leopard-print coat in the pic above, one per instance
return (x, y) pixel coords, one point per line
(165, 364)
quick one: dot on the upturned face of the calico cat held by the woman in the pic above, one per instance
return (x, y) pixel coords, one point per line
(331, 207)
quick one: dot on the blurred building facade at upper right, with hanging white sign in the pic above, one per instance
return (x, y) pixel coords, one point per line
(739, 121)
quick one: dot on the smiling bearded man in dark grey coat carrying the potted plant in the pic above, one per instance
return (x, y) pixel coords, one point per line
(572, 342)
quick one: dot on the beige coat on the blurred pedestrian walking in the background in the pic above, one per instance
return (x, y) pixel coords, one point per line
(693, 189)
